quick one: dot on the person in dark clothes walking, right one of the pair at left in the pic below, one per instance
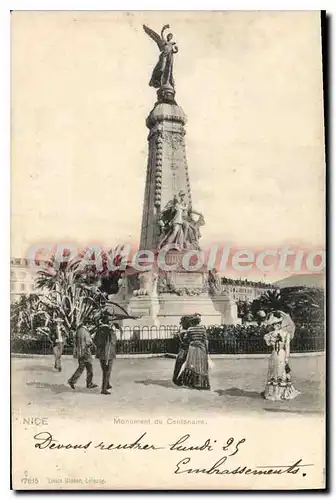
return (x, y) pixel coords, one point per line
(106, 341)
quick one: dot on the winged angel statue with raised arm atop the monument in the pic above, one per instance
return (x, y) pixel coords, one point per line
(163, 72)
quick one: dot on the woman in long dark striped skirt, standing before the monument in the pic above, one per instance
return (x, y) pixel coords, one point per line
(194, 372)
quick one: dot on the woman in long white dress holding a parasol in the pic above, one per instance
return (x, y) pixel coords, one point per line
(279, 384)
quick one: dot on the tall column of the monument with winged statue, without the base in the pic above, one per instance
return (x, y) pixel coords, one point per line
(167, 170)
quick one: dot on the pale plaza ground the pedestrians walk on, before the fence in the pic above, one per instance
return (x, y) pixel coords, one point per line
(144, 387)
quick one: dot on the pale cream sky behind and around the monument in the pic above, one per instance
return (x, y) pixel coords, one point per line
(250, 84)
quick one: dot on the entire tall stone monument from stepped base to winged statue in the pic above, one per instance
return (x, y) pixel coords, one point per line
(170, 224)
